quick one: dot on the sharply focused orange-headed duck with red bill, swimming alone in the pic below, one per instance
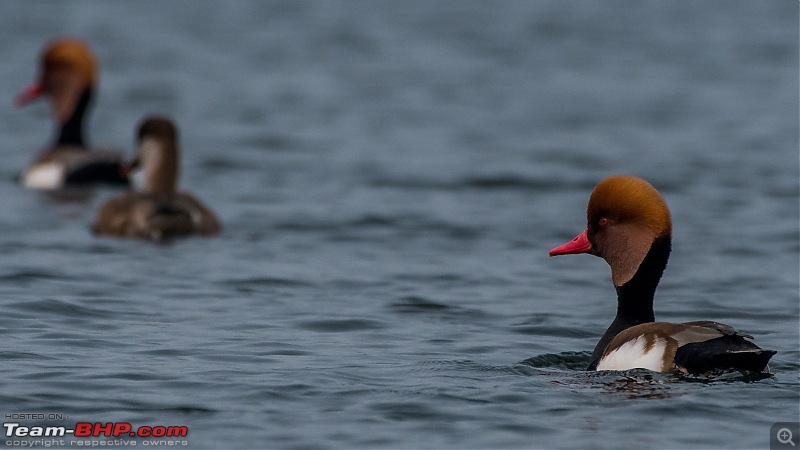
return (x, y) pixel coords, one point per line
(629, 225)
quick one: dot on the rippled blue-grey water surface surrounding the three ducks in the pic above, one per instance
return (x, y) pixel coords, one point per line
(390, 176)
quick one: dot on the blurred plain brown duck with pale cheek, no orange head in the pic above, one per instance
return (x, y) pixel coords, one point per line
(158, 211)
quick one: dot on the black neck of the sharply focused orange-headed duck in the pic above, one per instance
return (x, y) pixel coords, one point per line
(635, 298)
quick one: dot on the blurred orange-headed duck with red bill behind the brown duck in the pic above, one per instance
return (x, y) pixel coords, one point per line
(68, 76)
